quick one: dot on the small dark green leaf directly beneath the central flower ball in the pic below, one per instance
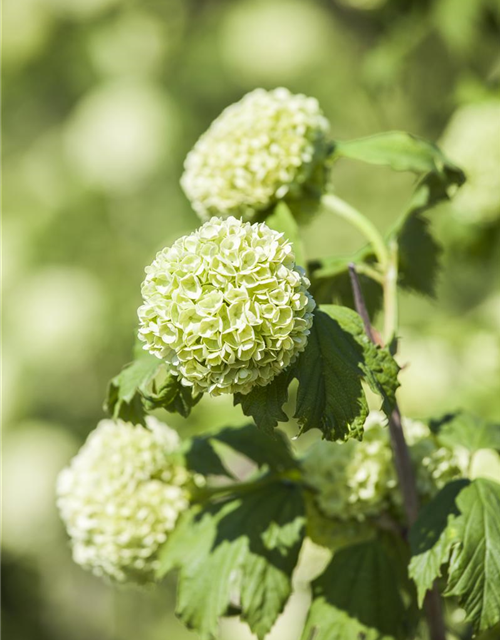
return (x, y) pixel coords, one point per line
(264, 404)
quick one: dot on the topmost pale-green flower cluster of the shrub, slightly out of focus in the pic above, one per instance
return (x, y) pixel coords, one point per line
(266, 147)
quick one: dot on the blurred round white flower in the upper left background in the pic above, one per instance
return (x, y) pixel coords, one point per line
(119, 134)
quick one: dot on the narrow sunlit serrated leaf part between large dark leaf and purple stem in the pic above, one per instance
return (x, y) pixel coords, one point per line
(378, 366)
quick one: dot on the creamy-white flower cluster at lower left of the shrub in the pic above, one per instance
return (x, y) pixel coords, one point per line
(121, 496)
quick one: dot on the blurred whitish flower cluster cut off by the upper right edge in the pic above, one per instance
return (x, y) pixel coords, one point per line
(472, 140)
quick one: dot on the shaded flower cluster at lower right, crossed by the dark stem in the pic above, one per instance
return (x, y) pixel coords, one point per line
(357, 480)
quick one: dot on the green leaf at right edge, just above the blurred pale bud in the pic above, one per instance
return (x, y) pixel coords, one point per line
(466, 430)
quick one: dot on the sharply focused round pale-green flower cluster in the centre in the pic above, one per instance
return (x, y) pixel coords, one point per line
(226, 307)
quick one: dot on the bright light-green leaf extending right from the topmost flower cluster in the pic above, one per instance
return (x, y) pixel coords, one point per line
(399, 150)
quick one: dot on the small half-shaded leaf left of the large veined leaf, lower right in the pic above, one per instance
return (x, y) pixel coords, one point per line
(431, 539)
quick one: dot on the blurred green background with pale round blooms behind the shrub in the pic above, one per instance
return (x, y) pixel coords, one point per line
(102, 101)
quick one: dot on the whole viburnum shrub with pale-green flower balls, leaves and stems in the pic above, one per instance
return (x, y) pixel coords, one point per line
(233, 308)
